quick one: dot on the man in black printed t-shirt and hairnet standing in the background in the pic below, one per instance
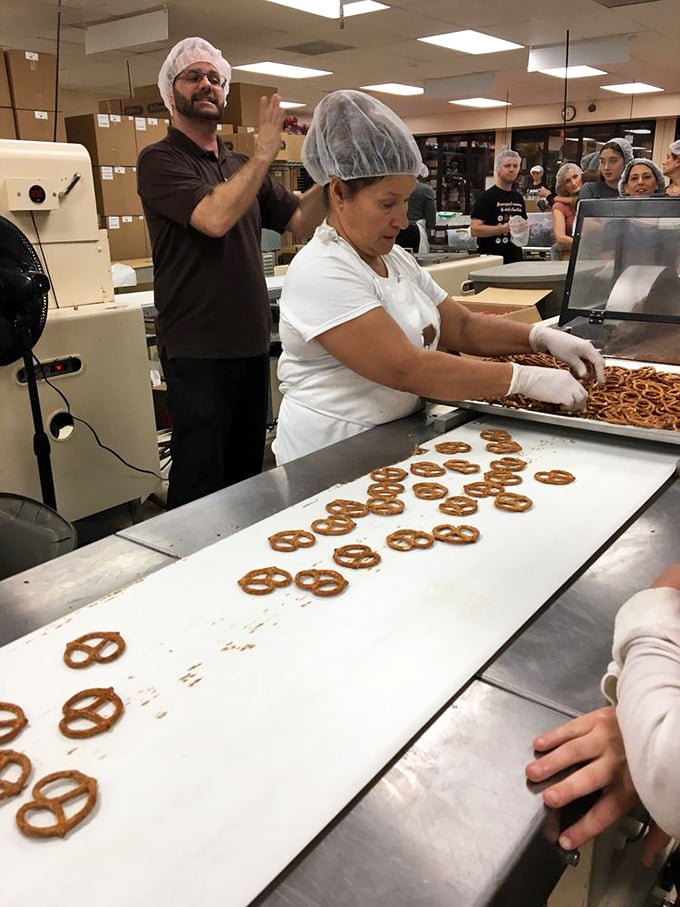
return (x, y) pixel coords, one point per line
(493, 209)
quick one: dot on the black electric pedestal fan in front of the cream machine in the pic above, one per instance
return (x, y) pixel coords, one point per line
(23, 313)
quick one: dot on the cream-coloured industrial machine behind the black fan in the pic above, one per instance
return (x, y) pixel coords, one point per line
(93, 378)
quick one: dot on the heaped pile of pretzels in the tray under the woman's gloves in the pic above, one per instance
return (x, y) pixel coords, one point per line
(644, 397)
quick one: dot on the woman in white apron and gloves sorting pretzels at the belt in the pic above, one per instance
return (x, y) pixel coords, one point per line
(362, 325)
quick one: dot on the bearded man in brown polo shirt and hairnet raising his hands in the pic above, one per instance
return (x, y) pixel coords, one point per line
(205, 208)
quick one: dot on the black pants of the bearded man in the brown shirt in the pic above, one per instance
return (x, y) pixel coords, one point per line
(218, 409)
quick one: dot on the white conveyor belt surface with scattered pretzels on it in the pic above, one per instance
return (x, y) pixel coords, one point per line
(251, 721)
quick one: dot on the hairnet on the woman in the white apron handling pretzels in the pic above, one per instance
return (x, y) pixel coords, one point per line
(353, 135)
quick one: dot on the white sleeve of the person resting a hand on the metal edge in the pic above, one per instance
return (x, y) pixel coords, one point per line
(647, 654)
